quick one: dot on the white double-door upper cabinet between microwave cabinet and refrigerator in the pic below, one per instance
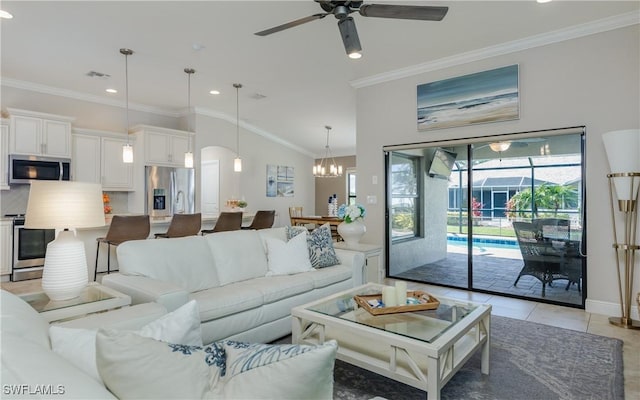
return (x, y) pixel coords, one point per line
(97, 158)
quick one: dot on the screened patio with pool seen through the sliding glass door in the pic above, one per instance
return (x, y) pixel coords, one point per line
(510, 222)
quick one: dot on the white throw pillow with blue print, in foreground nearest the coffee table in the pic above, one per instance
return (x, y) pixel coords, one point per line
(278, 371)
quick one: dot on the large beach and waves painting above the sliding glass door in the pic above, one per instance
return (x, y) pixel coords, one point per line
(488, 96)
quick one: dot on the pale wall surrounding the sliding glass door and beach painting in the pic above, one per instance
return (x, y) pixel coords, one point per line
(592, 81)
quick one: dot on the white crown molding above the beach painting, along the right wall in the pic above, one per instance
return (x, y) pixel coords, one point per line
(573, 32)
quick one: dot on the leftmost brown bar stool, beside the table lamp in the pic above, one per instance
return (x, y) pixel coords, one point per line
(122, 229)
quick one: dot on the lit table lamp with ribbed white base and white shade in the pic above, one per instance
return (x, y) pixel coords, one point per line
(64, 205)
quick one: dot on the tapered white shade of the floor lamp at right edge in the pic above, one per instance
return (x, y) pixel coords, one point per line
(623, 152)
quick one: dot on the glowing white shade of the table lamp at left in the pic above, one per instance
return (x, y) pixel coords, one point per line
(64, 204)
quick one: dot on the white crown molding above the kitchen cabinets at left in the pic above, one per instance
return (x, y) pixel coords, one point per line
(55, 91)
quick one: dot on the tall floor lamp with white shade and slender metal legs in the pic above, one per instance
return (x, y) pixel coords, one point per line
(623, 152)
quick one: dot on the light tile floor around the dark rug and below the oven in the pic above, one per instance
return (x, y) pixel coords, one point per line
(563, 317)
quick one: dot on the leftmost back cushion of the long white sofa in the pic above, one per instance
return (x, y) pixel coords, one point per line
(183, 261)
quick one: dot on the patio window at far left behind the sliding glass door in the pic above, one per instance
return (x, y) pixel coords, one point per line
(405, 198)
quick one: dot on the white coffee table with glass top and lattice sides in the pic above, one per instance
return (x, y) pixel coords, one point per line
(423, 349)
